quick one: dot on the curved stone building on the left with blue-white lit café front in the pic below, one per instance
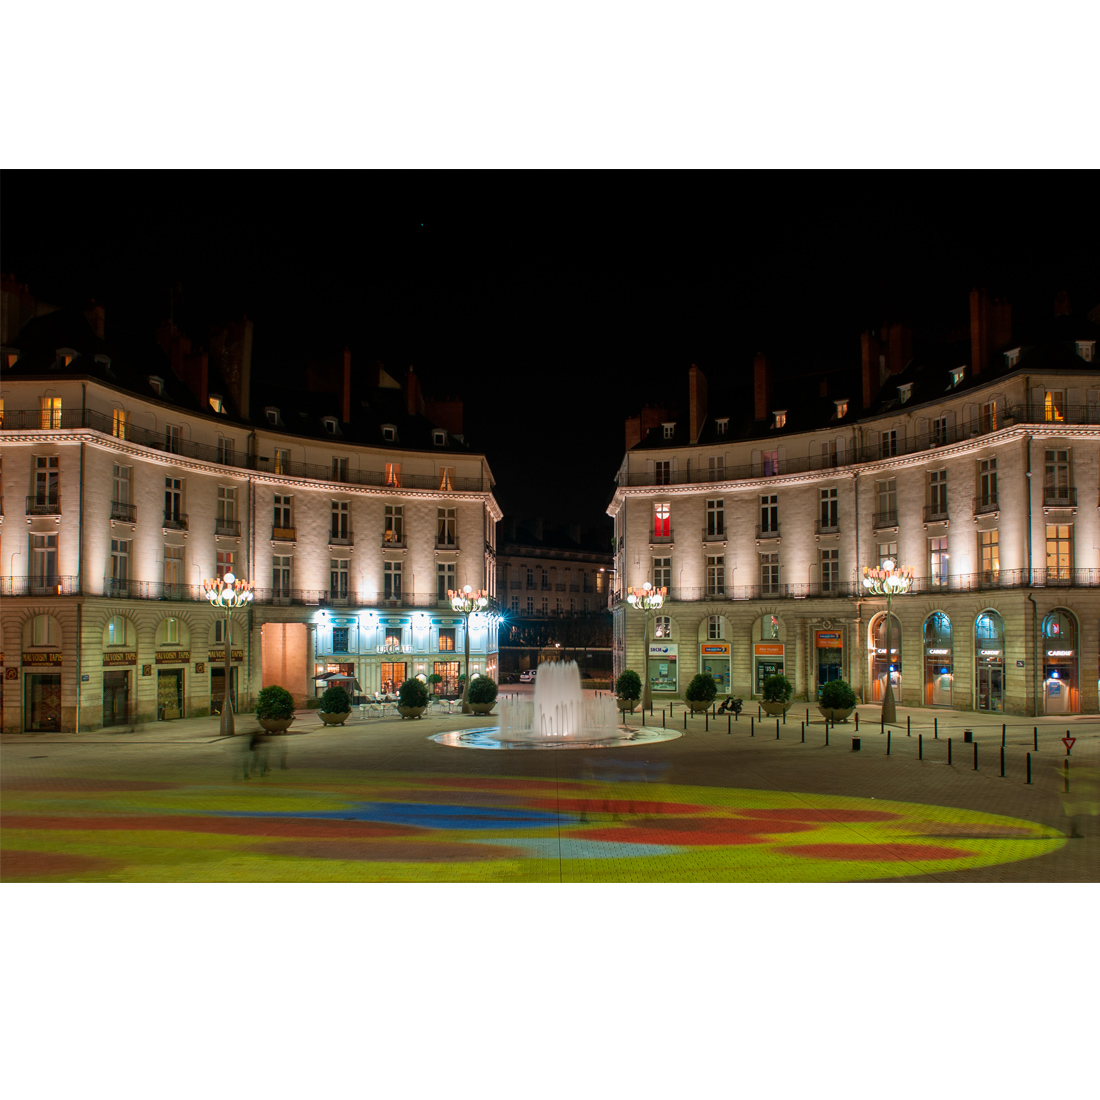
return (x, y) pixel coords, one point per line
(353, 505)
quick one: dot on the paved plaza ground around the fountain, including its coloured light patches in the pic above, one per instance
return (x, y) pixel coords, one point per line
(377, 800)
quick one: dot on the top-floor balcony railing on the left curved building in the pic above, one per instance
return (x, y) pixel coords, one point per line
(32, 420)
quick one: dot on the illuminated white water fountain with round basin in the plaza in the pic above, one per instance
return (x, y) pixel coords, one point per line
(559, 718)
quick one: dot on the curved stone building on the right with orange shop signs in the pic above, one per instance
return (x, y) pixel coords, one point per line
(974, 463)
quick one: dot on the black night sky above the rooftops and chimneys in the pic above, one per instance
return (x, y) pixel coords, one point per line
(556, 305)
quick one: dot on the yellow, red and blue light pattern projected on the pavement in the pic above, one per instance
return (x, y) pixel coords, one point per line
(419, 828)
